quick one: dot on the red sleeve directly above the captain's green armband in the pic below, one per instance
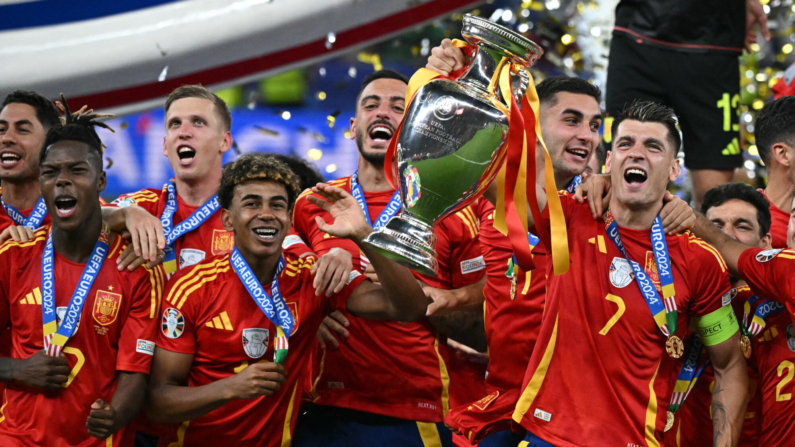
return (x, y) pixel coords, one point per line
(708, 278)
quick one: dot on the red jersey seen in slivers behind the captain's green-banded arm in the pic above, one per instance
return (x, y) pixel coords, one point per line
(693, 425)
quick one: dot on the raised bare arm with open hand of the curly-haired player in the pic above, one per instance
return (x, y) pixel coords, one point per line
(400, 296)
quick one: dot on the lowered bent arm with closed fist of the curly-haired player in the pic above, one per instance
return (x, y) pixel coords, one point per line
(172, 400)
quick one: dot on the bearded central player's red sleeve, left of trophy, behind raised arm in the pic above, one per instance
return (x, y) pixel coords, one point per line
(321, 243)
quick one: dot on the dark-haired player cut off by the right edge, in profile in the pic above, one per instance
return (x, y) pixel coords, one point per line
(775, 140)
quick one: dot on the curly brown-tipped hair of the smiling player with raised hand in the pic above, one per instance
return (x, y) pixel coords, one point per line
(257, 167)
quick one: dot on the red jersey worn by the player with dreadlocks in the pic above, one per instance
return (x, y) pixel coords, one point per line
(116, 332)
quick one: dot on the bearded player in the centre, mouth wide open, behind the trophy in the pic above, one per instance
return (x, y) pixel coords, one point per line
(386, 377)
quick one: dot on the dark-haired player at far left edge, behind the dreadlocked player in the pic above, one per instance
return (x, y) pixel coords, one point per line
(25, 119)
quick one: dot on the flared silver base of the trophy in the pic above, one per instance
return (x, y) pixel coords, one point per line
(408, 242)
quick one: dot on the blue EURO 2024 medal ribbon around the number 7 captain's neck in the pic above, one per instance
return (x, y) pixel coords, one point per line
(665, 315)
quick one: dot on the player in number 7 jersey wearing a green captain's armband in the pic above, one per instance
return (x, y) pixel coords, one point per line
(604, 365)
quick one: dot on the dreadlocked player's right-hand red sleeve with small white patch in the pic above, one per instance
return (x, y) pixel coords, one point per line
(137, 342)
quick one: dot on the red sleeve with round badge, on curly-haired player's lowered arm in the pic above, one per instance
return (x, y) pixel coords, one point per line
(177, 322)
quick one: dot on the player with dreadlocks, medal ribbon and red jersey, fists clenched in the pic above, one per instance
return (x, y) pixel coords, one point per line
(83, 332)
